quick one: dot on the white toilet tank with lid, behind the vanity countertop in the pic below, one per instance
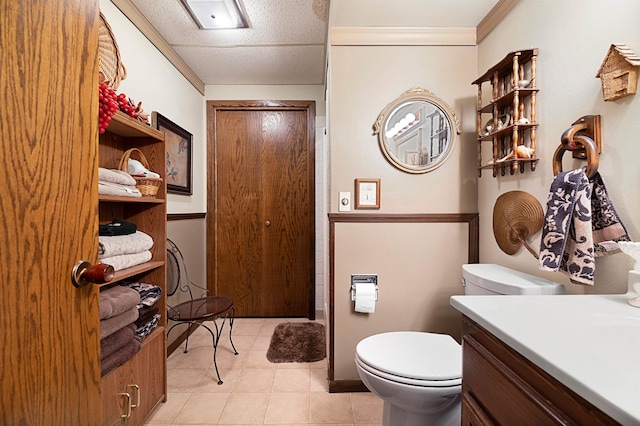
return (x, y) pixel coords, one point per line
(487, 278)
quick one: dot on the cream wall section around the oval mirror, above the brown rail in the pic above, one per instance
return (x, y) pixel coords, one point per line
(364, 79)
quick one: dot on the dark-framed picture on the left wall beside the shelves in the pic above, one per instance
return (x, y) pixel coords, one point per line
(178, 144)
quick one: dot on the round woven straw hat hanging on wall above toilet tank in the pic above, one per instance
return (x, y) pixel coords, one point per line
(516, 216)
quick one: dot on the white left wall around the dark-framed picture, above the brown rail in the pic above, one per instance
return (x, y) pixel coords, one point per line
(152, 80)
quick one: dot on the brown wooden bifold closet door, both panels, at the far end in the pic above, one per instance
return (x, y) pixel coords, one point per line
(263, 220)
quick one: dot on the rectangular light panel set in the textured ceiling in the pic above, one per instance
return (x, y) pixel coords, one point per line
(216, 14)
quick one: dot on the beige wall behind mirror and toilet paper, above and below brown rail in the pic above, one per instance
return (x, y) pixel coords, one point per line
(418, 265)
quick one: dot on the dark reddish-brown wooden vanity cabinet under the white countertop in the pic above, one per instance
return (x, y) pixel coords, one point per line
(501, 387)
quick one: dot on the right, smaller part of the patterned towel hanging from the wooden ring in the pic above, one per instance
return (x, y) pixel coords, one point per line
(607, 226)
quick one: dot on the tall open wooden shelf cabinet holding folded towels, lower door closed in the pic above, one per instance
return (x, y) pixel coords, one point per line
(132, 390)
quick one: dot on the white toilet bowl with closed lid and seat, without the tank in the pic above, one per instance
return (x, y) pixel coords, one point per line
(418, 375)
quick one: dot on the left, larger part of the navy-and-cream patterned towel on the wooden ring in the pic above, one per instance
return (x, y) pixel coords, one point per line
(567, 237)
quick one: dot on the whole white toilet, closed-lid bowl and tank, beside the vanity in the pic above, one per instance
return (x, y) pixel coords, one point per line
(419, 375)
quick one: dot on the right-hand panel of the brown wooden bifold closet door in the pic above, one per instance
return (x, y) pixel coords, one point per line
(286, 207)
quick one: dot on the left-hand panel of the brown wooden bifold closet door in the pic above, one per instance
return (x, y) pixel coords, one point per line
(239, 215)
